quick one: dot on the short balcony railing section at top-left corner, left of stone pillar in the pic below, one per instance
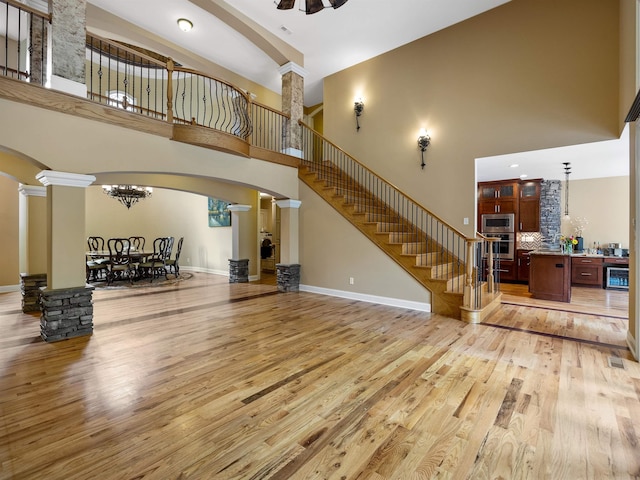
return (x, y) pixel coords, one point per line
(23, 51)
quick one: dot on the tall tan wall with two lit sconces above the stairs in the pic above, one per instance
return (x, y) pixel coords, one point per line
(527, 75)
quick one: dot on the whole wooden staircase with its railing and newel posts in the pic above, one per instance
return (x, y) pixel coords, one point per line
(433, 253)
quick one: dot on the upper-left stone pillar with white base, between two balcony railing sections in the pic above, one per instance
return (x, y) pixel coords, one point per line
(68, 39)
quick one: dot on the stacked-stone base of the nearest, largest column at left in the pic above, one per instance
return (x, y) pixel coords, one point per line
(66, 313)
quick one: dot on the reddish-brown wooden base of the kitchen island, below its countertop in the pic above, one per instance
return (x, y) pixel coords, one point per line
(550, 277)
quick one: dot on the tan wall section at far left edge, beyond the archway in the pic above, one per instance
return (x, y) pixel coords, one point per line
(9, 233)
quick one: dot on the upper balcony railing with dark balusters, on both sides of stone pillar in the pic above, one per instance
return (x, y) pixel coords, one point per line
(139, 81)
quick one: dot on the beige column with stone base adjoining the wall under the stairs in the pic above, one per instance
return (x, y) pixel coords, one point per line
(288, 270)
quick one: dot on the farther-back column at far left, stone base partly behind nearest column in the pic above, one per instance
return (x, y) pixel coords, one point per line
(33, 245)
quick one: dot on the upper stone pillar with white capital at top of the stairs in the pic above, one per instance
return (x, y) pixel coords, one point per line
(293, 105)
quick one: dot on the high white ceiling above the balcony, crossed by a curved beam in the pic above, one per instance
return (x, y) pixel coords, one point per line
(330, 40)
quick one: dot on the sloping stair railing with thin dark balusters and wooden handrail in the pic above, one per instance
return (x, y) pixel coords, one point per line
(448, 252)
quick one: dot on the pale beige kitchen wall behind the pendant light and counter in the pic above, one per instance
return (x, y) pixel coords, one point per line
(604, 204)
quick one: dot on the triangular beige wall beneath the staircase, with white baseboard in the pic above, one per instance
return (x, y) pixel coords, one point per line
(333, 250)
